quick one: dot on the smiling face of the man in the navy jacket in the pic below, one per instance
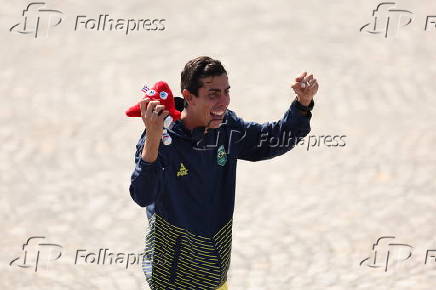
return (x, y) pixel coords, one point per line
(209, 107)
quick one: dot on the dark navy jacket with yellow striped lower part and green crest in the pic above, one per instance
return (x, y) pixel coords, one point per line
(189, 193)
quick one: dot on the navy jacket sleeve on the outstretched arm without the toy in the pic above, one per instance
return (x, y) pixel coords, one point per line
(271, 139)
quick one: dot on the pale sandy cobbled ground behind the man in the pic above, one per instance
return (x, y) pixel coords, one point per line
(305, 220)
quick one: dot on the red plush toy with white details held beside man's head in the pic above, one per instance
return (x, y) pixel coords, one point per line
(161, 92)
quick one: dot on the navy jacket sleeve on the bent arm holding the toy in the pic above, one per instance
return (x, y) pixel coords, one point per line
(147, 178)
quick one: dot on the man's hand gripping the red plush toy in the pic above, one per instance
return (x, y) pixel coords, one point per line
(153, 115)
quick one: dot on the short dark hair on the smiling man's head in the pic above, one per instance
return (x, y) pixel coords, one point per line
(197, 68)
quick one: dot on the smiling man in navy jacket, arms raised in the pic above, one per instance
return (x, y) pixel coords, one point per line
(188, 187)
